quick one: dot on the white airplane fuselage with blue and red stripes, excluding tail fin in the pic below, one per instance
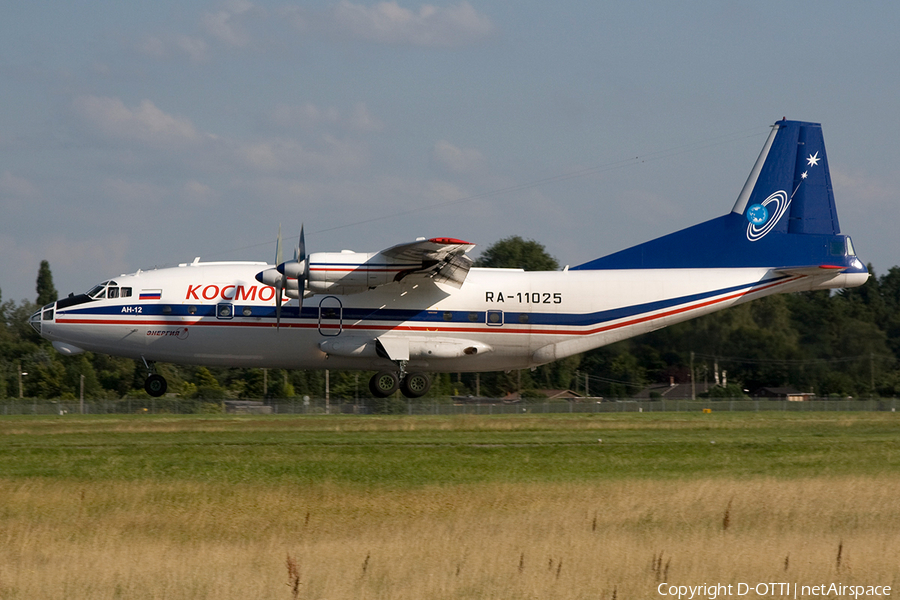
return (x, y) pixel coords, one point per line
(219, 314)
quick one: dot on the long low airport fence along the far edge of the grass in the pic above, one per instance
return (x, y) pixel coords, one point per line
(403, 406)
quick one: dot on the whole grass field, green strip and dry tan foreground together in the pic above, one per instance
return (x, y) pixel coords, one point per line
(445, 507)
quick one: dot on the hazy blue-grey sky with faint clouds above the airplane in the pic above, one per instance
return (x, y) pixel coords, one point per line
(142, 135)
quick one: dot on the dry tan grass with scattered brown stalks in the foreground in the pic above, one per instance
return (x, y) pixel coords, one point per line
(61, 539)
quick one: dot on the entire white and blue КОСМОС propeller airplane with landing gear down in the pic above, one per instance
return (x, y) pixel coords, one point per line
(422, 307)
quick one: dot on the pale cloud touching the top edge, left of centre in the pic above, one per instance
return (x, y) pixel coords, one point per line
(390, 23)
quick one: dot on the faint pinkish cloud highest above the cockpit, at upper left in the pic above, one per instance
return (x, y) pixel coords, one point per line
(145, 123)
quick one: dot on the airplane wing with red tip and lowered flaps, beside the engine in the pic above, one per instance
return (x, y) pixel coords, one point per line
(442, 259)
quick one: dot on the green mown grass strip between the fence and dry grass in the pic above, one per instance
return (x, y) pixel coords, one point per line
(421, 451)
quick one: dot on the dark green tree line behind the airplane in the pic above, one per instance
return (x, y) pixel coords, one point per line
(833, 344)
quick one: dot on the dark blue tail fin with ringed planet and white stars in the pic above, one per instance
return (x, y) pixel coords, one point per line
(784, 217)
